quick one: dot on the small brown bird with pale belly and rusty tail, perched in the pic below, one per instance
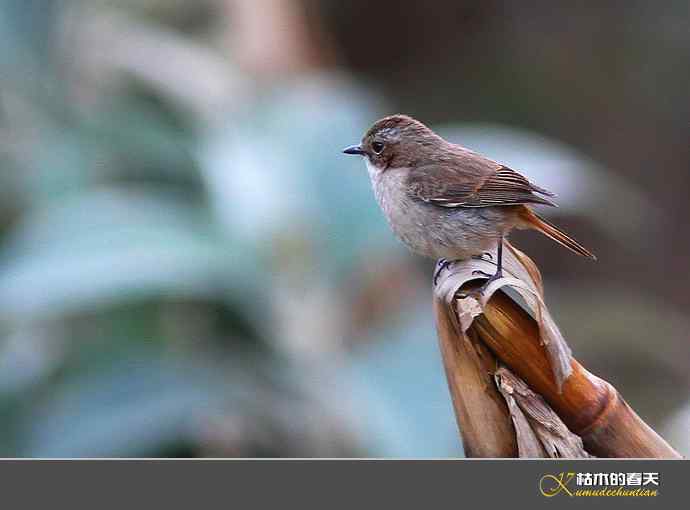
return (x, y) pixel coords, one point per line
(447, 202)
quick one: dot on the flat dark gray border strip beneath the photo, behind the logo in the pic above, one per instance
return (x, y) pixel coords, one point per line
(323, 483)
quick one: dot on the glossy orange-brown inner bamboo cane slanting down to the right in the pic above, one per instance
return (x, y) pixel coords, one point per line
(590, 407)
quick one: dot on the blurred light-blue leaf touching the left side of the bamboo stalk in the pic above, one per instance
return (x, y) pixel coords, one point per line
(402, 398)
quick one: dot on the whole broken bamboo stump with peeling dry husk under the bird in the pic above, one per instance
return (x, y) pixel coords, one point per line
(474, 334)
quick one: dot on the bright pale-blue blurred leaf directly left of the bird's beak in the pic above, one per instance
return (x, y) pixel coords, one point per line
(280, 169)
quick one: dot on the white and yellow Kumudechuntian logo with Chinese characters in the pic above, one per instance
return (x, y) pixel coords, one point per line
(572, 484)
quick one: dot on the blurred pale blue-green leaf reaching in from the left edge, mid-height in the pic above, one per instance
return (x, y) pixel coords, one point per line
(107, 246)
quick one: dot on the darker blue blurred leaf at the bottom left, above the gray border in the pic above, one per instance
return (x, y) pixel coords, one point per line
(134, 406)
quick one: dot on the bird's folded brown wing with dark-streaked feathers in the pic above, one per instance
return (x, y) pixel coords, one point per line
(485, 185)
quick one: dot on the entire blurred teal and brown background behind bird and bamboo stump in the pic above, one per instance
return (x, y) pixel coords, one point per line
(189, 266)
